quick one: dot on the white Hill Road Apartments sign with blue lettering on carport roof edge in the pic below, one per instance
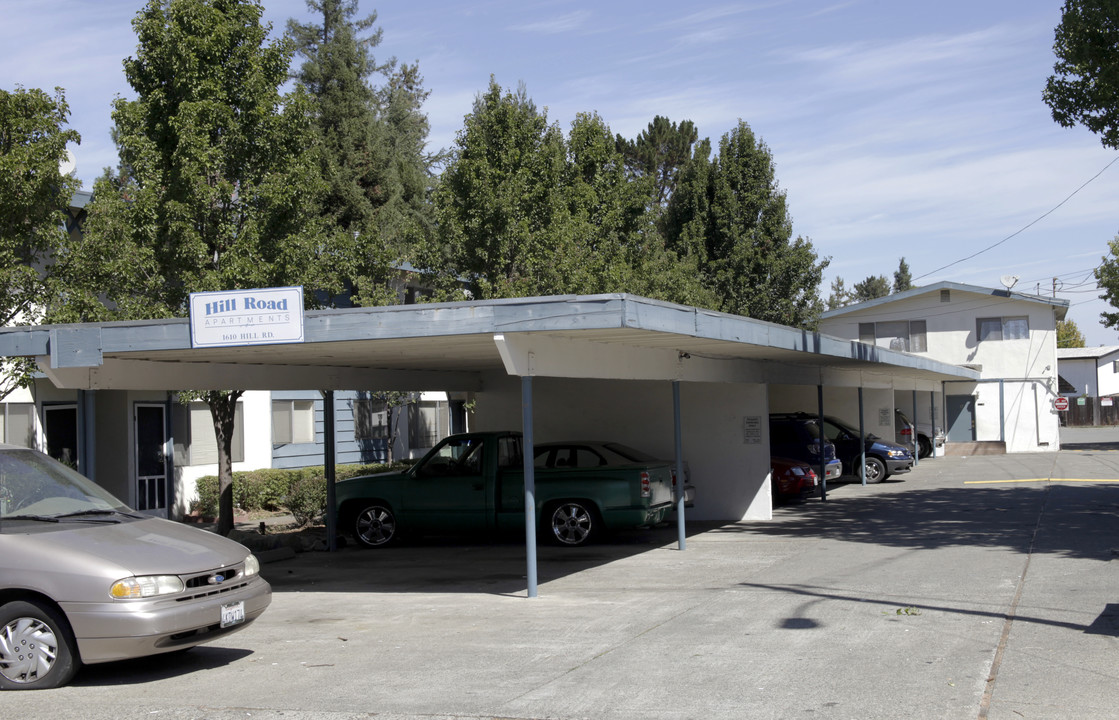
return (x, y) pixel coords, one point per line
(266, 316)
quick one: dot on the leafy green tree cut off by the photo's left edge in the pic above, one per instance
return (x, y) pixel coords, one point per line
(34, 201)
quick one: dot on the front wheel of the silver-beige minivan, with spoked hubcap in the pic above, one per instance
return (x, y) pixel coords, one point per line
(37, 651)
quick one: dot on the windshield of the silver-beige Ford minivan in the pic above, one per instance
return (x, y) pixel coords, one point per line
(39, 488)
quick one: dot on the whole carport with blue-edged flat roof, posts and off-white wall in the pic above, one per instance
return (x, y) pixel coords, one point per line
(578, 345)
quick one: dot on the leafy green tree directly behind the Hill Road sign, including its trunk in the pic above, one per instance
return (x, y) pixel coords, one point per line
(219, 186)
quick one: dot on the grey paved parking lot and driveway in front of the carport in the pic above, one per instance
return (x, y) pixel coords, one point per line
(980, 587)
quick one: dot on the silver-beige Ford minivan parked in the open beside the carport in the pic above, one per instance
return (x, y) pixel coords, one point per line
(84, 579)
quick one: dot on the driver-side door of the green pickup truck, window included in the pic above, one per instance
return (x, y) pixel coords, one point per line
(449, 492)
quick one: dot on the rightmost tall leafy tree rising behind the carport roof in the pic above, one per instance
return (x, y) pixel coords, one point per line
(732, 214)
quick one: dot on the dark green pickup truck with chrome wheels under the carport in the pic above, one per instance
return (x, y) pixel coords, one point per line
(475, 484)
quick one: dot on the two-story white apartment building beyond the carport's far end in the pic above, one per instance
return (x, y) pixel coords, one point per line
(1009, 338)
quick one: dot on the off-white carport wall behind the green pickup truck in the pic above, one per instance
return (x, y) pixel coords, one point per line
(729, 461)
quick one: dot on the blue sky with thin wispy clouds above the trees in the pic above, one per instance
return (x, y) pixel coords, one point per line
(898, 129)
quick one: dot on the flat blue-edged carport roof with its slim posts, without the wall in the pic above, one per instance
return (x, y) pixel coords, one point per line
(453, 347)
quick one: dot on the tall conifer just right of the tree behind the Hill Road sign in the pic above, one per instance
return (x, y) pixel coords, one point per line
(373, 141)
